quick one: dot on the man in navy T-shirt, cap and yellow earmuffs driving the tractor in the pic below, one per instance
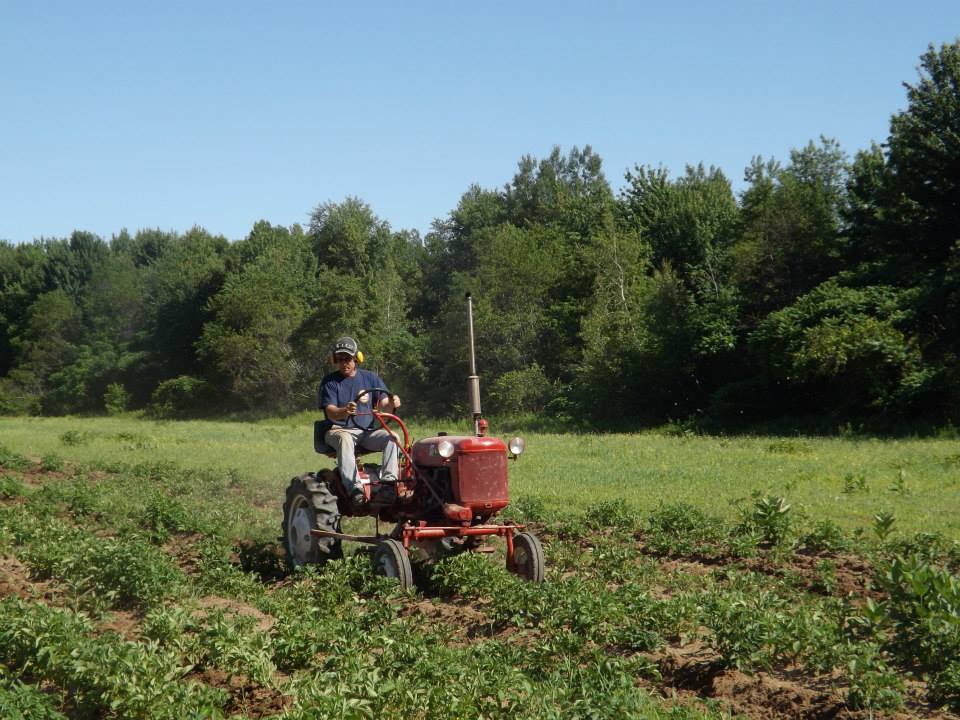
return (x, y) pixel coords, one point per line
(353, 426)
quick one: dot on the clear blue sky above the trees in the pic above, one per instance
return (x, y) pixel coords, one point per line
(171, 114)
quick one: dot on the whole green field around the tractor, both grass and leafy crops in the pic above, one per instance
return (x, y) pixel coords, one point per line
(687, 577)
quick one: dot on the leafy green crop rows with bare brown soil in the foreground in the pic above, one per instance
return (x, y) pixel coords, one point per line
(339, 642)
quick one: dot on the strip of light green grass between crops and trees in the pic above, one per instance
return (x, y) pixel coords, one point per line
(846, 481)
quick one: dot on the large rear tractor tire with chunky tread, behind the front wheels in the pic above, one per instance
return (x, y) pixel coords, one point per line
(310, 505)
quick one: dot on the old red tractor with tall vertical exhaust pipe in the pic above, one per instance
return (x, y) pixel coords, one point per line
(446, 497)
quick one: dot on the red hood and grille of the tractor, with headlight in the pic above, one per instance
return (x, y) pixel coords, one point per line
(470, 471)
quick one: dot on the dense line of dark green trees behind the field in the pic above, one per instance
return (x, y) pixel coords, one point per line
(829, 286)
